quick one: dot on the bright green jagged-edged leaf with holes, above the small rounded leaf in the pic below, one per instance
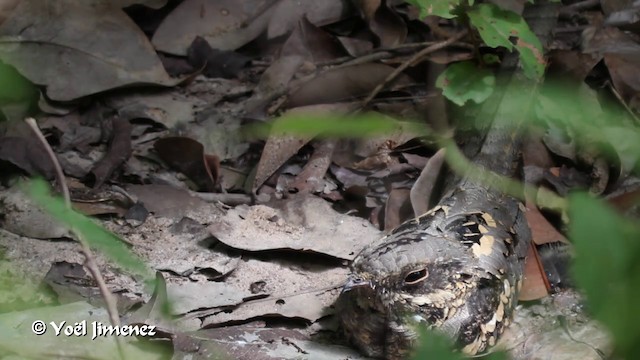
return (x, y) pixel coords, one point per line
(496, 26)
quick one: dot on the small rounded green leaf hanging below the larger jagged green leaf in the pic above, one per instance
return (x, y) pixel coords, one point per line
(464, 81)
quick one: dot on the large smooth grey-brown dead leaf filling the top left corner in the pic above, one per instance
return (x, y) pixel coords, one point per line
(75, 49)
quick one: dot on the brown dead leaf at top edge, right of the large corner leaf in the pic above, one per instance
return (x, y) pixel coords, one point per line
(225, 24)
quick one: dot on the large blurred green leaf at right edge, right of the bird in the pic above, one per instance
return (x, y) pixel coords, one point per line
(607, 268)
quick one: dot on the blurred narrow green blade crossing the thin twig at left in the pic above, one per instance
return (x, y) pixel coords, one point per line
(96, 236)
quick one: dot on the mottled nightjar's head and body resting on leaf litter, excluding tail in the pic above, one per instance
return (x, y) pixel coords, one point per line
(457, 268)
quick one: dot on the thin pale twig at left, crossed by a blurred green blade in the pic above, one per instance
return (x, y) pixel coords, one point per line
(90, 262)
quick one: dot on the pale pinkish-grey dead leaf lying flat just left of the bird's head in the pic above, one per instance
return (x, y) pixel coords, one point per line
(305, 223)
